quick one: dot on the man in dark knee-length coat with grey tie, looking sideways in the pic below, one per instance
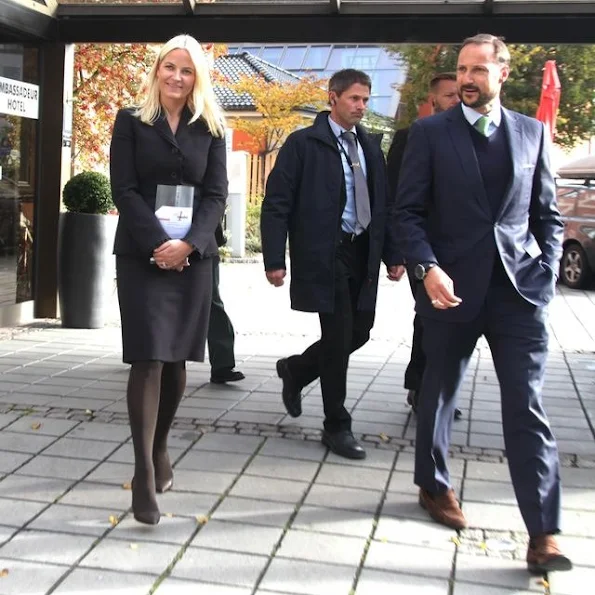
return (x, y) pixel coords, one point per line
(327, 193)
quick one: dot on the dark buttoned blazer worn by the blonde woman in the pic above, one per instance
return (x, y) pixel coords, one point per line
(143, 156)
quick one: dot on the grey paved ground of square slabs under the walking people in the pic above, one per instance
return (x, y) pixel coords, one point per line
(259, 507)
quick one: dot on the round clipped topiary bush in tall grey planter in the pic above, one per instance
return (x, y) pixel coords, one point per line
(85, 261)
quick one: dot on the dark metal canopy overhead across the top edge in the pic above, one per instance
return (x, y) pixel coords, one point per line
(308, 21)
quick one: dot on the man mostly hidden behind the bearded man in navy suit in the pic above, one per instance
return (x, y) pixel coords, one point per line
(442, 95)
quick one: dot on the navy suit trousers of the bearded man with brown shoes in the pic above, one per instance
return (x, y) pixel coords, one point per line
(517, 335)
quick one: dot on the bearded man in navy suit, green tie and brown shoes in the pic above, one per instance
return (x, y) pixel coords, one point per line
(476, 213)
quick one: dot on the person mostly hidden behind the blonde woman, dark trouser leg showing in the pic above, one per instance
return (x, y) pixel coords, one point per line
(221, 335)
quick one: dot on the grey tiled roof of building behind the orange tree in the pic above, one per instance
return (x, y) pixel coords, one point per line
(235, 66)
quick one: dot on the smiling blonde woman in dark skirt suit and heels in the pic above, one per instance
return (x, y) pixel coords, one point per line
(174, 138)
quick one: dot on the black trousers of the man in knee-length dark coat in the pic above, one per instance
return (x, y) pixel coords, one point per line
(342, 332)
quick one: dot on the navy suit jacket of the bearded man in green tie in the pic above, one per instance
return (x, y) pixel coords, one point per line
(442, 213)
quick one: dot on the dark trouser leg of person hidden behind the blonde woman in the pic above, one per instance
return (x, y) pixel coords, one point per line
(221, 336)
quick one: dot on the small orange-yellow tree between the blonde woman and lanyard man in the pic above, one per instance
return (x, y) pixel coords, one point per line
(283, 107)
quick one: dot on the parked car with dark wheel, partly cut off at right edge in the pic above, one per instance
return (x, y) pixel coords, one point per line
(576, 201)
